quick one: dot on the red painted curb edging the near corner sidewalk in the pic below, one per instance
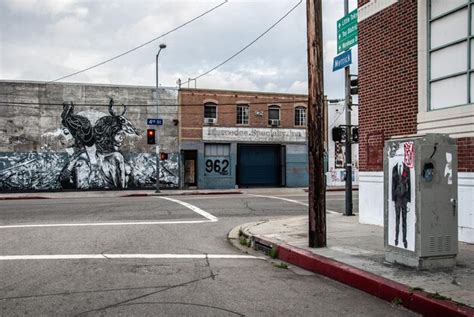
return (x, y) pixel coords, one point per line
(391, 291)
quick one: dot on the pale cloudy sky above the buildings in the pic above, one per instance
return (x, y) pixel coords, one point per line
(43, 40)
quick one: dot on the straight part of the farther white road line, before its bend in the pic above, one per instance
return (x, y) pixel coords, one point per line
(95, 224)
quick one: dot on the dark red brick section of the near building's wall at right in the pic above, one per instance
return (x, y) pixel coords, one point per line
(387, 79)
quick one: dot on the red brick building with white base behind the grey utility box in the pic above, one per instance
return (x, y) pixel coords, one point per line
(416, 76)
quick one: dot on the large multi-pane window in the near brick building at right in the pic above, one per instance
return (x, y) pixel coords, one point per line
(451, 53)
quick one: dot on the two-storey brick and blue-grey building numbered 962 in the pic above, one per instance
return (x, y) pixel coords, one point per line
(230, 138)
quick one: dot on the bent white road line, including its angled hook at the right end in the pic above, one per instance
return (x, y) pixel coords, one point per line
(208, 216)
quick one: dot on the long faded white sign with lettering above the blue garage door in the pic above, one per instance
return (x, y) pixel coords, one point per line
(253, 134)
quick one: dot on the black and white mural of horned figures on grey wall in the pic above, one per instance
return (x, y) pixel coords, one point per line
(91, 157)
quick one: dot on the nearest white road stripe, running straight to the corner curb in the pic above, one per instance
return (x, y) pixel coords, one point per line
(105, 256)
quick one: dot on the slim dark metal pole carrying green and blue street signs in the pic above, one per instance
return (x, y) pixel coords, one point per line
(348, 104)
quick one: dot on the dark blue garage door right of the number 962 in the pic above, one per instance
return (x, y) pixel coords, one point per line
(258, 165)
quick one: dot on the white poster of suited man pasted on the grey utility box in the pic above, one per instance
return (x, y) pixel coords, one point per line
(401, 204)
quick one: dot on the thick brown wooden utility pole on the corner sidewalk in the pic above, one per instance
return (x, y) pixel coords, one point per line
(317, 184)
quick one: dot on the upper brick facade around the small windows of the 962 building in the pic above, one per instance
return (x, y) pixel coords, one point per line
(192, 109)
